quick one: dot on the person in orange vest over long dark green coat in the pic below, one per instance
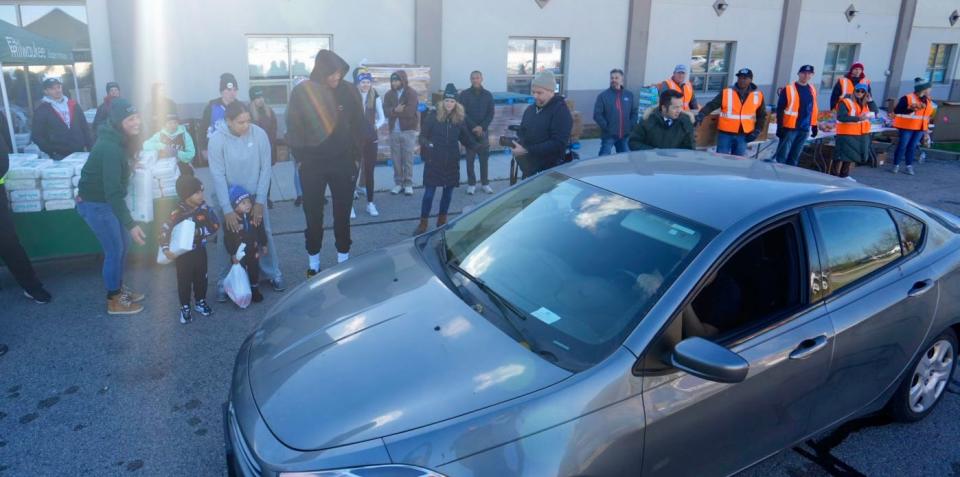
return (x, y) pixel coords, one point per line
(853, 130)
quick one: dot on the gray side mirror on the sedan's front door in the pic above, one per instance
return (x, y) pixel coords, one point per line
(708, 360)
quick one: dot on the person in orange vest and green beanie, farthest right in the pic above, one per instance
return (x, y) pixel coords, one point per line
(913, 114)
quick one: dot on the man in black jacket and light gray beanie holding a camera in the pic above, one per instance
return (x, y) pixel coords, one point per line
(544, 129)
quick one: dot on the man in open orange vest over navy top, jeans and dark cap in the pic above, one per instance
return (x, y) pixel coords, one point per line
(797, 113)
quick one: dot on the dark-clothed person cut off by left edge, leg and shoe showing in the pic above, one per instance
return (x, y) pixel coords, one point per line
(11, 252)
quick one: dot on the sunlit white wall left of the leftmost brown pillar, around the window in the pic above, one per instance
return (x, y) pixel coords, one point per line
(187, 44)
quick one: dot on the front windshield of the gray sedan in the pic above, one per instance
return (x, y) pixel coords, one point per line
(581, 265)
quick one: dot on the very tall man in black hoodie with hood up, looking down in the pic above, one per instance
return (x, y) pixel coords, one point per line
(326, 129)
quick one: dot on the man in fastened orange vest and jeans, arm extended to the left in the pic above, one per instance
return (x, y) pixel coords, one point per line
(742, 111)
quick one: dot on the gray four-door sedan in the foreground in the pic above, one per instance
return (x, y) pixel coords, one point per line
(653, 313)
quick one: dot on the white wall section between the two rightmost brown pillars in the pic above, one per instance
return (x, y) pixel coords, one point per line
(873, 28)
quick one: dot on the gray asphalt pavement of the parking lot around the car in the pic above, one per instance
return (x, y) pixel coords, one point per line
(84, 393)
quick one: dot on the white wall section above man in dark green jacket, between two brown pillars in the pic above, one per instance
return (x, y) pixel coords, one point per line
(676, 24)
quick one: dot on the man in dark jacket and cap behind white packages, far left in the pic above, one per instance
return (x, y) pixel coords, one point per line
(59, 127)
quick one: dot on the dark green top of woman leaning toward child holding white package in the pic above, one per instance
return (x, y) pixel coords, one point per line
(105, 176)
